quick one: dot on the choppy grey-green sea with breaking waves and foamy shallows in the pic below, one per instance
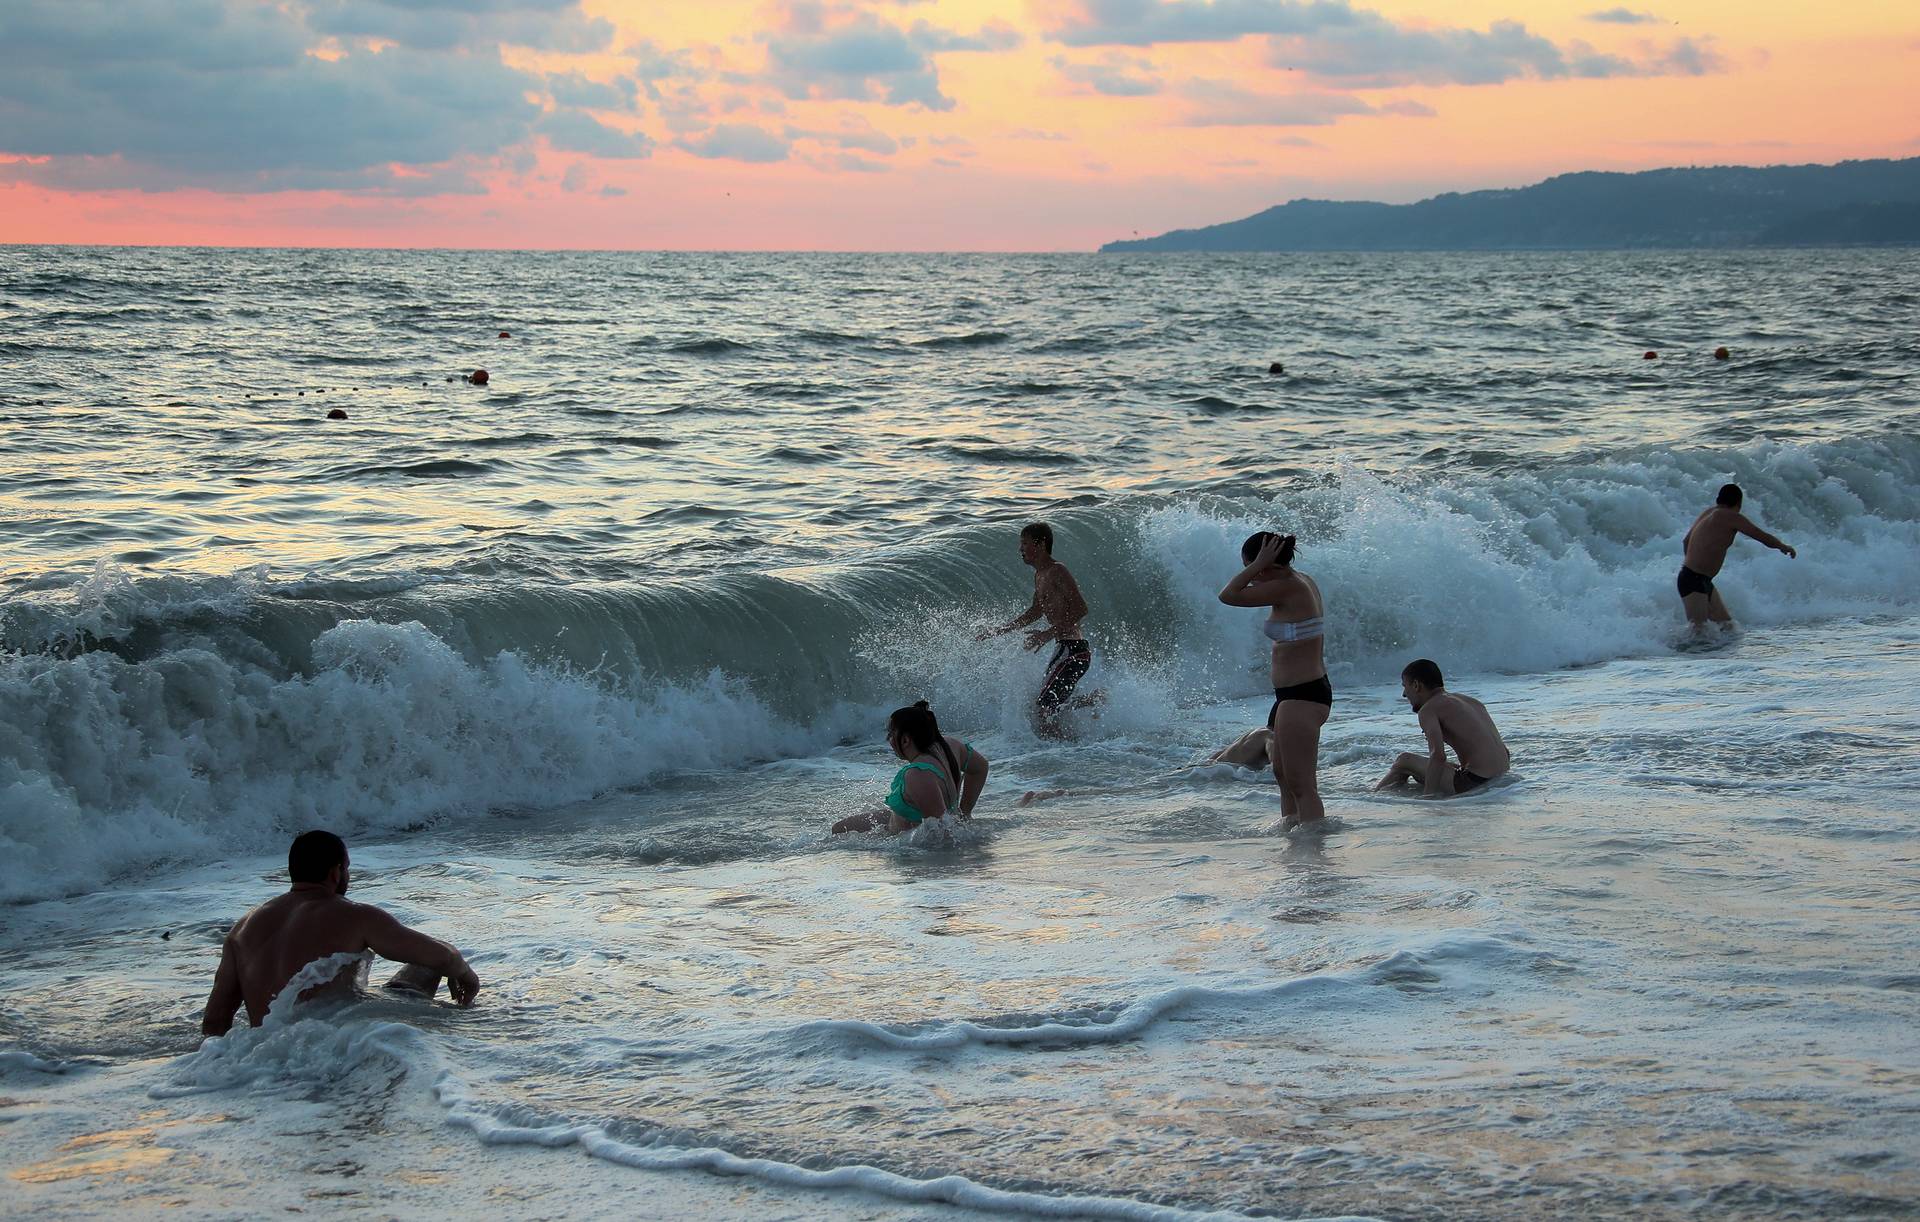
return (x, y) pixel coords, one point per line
(587, 660)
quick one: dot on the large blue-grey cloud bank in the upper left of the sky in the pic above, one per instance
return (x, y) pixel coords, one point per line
(226, 95)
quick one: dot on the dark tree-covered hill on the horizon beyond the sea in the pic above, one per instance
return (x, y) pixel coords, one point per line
(1875, 203)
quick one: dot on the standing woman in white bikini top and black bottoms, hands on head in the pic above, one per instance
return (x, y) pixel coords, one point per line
(1303, 698)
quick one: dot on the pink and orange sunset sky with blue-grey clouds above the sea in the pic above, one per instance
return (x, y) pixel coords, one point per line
(886, 126)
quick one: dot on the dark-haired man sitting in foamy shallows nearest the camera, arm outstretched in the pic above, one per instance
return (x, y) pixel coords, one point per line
(312, 921)
